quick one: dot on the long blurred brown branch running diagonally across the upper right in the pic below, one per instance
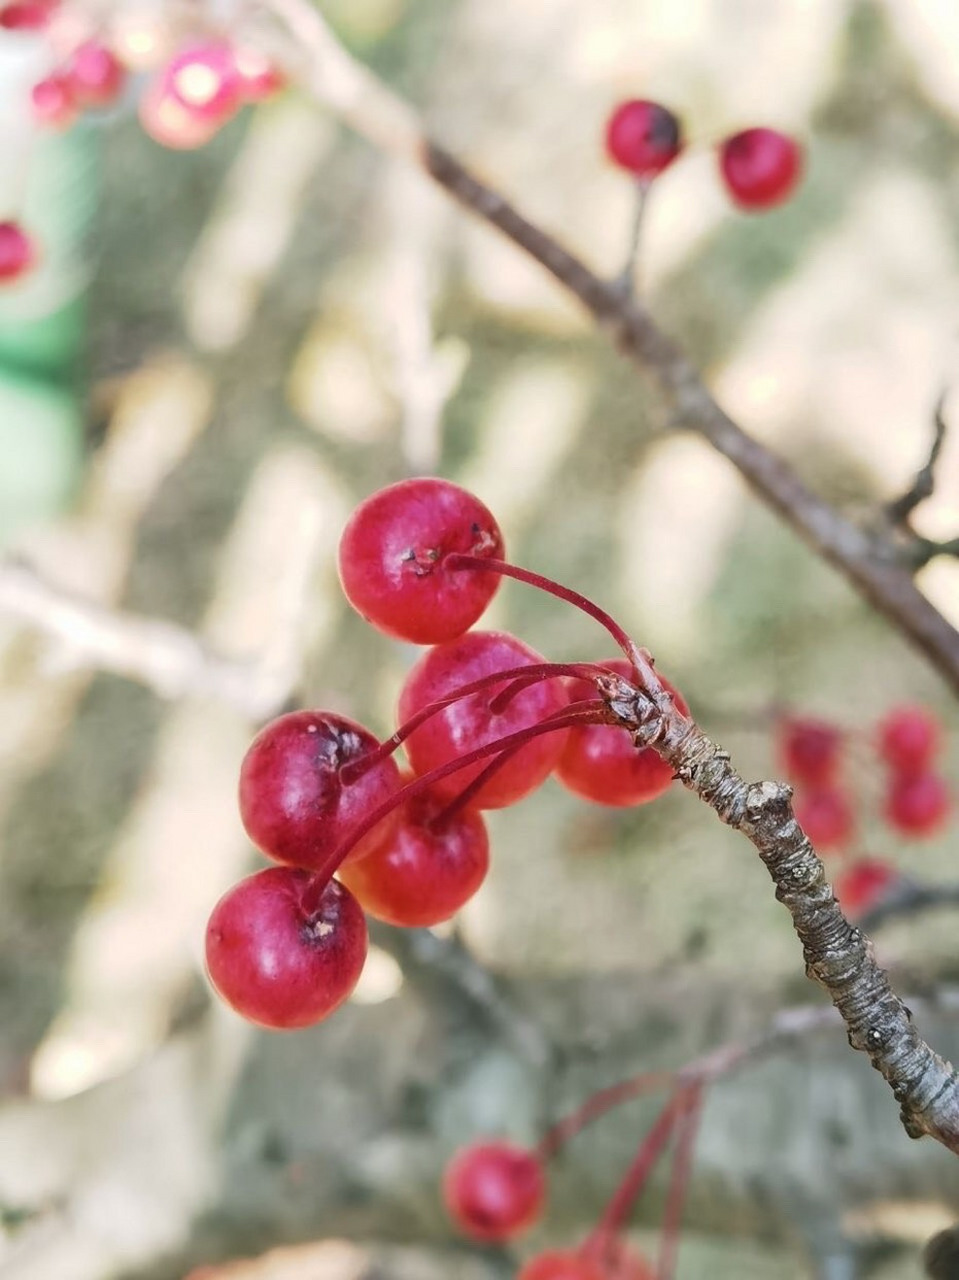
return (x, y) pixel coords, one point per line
(867, 560)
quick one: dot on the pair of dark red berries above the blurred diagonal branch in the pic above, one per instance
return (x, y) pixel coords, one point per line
(759, 167)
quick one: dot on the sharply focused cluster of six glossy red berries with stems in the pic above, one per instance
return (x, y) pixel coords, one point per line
(485, 721)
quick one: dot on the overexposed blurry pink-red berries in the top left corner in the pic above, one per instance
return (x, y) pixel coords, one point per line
(189, 99)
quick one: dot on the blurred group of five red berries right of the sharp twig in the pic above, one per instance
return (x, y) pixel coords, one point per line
(915, 801)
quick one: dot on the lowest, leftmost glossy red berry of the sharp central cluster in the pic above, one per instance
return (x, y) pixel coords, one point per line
(276, 964)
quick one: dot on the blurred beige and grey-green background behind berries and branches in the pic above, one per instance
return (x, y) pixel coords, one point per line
(223, 353)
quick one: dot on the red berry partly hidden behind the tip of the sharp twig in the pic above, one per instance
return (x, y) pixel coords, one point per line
(600, 762)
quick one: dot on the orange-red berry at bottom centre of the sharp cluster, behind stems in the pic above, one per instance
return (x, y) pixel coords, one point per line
(427, 870)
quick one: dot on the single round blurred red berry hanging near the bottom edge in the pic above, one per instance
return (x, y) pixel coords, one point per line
(495, 1191)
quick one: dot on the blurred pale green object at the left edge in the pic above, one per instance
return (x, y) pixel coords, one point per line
(49, 184)
